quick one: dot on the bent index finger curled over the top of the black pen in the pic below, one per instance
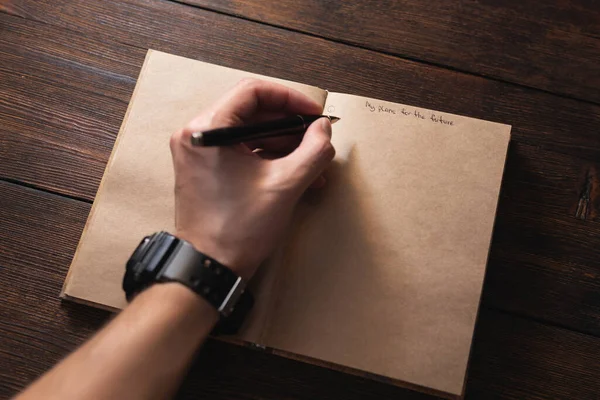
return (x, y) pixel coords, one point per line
(252, 96)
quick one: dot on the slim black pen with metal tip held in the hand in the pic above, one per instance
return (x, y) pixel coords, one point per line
(293, 125)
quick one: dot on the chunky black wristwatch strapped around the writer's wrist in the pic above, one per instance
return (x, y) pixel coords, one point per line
(162, 257)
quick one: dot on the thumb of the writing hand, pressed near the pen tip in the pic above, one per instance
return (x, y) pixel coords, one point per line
(314, 153)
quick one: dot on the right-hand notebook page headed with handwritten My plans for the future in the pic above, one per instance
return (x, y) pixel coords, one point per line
(385, 267)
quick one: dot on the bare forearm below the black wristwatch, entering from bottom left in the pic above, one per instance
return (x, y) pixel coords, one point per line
(142, 354)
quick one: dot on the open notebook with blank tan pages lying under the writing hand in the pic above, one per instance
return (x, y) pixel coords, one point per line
(382, 270)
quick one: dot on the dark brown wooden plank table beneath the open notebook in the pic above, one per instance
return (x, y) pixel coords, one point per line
(68, 69)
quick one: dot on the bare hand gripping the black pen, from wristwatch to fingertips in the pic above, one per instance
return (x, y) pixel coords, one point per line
(233, 203)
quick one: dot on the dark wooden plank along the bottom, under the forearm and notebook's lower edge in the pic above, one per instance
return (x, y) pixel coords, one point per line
(512, 357)
